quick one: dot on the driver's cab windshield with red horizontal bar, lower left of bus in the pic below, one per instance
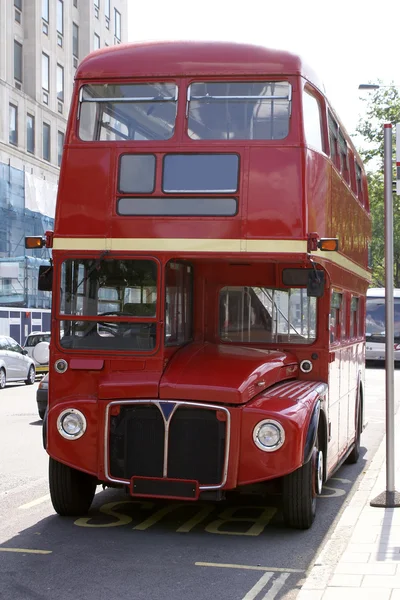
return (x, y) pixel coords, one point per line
(104, 289)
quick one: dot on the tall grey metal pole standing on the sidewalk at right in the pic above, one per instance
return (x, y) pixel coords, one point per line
(390, 498)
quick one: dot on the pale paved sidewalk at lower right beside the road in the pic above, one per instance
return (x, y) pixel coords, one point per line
(361, 559)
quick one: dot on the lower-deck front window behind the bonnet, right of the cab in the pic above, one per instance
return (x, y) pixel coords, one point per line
(266, 315)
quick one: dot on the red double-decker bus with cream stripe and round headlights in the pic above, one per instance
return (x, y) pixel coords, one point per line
(210, 267)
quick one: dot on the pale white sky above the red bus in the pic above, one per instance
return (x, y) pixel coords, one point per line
(346, 42)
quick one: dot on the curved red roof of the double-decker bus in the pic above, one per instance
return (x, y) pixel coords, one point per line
(192, 59)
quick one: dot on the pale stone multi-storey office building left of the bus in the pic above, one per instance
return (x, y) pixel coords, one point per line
(42, 43)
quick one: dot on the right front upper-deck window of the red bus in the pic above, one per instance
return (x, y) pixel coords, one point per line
(239, 110)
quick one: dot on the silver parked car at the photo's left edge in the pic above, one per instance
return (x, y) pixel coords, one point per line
(15, 364)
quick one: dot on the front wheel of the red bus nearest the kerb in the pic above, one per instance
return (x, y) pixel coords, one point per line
(300, 490)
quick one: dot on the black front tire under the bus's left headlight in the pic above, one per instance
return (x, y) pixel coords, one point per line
(71, 491)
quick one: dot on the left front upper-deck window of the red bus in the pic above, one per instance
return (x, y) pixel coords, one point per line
(113, 112)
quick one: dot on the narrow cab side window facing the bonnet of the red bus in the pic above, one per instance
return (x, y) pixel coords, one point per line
(178, 303)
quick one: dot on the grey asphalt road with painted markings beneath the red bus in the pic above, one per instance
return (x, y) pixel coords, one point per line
(145, 550)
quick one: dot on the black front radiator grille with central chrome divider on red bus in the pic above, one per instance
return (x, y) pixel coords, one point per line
(188, 443)
